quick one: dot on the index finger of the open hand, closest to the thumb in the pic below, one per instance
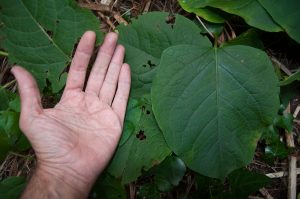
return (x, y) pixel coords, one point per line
(77, 72)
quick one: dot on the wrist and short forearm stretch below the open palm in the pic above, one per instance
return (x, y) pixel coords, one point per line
(46, 184)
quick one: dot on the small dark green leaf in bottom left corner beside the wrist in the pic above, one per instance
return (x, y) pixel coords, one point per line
(12, 187)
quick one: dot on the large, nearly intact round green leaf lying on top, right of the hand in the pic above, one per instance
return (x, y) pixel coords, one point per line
(211, 103)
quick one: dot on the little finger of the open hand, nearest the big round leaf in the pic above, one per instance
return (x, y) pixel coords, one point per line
(120, 101)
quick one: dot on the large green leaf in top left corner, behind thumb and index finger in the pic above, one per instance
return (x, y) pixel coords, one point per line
(40, 35)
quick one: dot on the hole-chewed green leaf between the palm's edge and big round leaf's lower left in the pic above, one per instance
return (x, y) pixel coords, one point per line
(145, 148)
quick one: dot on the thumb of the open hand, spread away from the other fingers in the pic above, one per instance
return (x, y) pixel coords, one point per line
(29, 92)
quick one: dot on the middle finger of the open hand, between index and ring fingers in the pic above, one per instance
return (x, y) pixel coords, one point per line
(101, 64)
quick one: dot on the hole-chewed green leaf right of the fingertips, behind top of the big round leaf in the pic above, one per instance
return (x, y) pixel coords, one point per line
(147, 37)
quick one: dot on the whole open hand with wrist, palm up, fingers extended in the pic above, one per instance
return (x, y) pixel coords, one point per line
(76, 139)
